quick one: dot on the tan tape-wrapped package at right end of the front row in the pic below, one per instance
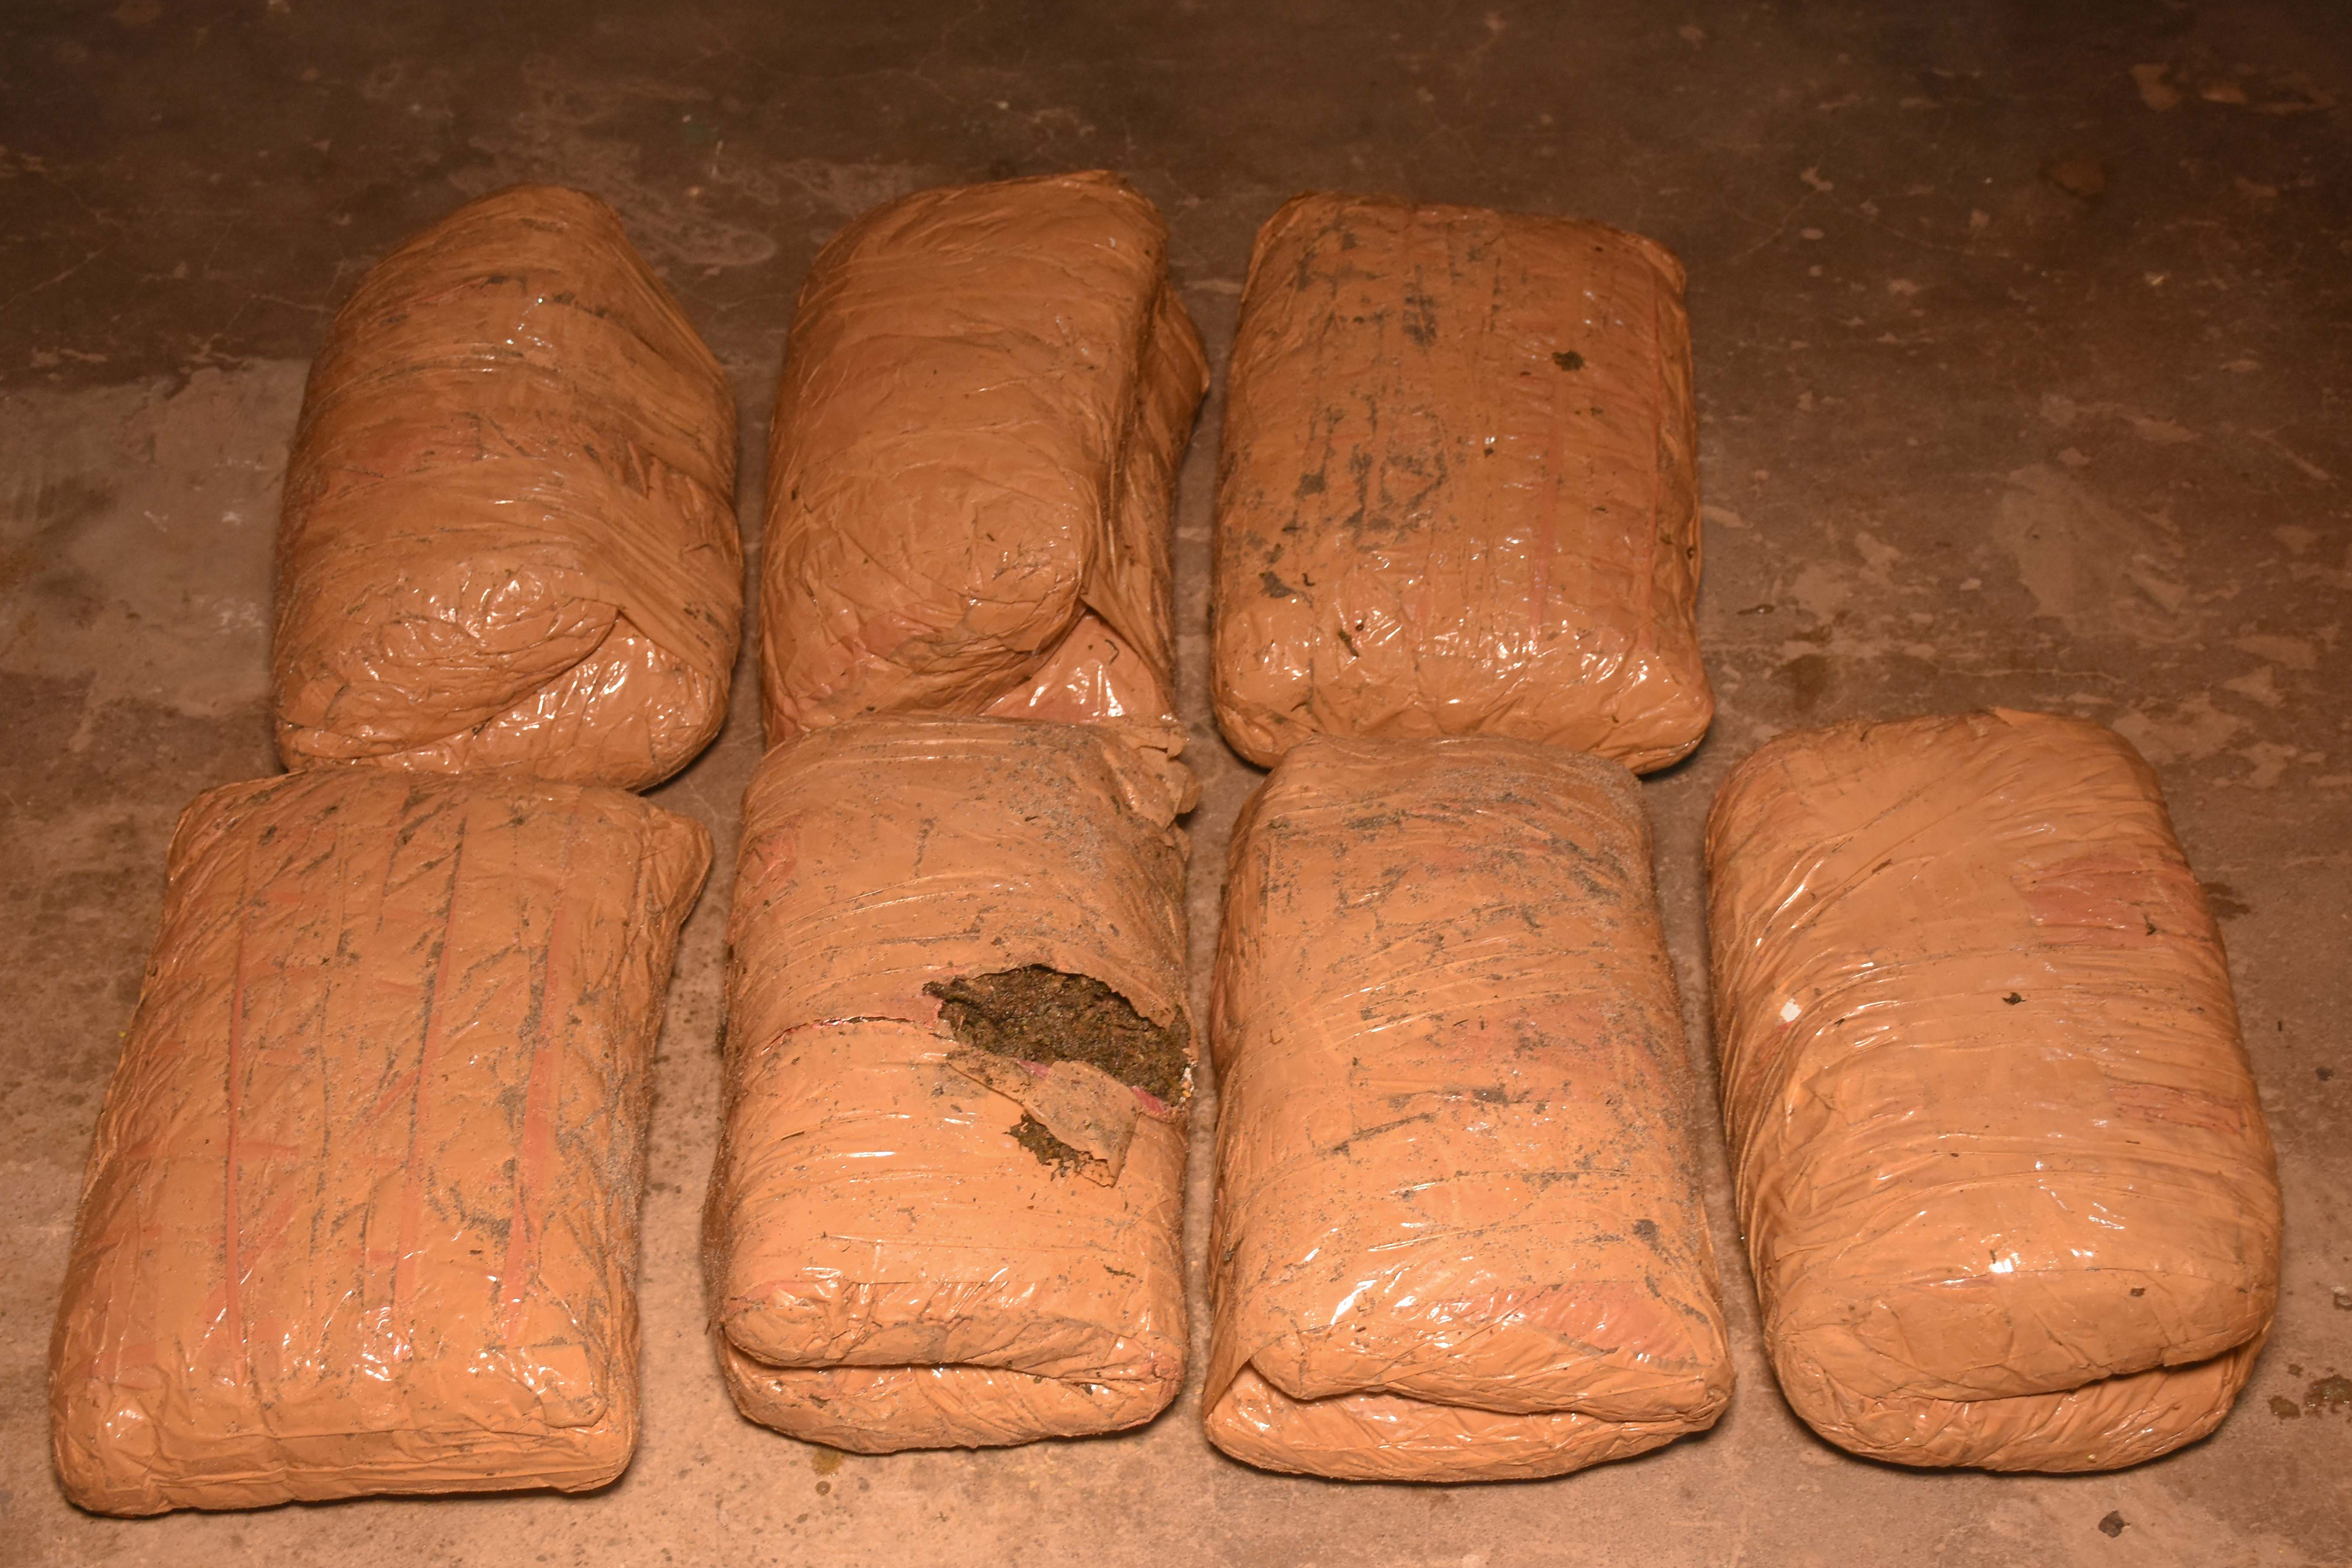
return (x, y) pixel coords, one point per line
(2000, 1160)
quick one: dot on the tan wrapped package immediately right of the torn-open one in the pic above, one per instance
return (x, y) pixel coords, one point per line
(1459, 1233)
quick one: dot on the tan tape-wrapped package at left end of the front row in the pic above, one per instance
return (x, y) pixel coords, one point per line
(363, 1205)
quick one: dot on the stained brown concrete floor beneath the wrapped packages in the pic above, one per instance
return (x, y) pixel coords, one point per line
(2026, 366)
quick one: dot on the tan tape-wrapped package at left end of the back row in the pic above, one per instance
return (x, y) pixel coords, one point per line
(509, 514)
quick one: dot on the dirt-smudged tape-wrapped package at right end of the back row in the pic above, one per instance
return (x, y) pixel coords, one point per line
(1457, 490)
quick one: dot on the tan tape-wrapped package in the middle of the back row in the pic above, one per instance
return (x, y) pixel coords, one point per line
(975, 457)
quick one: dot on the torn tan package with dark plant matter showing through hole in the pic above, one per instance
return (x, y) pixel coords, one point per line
(958, 1076)
